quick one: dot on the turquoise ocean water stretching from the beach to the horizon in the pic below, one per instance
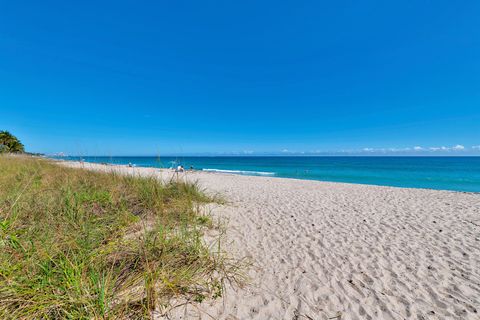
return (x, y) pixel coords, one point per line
(444, 173)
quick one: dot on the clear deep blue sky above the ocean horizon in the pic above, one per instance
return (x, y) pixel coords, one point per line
(165, 77)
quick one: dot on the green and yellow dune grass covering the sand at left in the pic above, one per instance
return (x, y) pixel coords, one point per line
(77, 244)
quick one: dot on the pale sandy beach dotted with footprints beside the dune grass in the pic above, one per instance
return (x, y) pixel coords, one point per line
(343, 251)
